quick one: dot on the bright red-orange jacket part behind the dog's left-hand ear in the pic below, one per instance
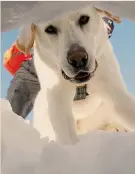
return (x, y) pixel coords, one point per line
(13, 58)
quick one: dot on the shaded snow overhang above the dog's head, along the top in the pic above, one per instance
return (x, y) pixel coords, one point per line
(15, 13)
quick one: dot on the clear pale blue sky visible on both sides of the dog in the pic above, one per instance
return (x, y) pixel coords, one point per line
(123, 41)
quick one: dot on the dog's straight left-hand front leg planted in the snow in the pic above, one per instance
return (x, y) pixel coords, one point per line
(60, 100)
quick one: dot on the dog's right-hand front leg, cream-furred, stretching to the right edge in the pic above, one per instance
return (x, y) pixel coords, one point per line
(122, 103)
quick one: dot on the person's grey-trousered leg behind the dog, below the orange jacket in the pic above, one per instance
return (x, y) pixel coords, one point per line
(23, 89)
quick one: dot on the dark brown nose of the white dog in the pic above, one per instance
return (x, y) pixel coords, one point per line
(77, 56)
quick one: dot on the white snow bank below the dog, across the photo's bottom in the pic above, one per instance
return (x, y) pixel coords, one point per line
(24, 152)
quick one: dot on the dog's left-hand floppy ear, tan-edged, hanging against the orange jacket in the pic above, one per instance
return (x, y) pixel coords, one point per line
(26, 38)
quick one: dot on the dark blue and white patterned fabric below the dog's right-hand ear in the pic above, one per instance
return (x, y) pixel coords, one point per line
(109, 25)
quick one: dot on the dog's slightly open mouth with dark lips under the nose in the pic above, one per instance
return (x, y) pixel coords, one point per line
(81, 77)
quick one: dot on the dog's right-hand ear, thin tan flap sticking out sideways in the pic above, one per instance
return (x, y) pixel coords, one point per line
(111, 16)
